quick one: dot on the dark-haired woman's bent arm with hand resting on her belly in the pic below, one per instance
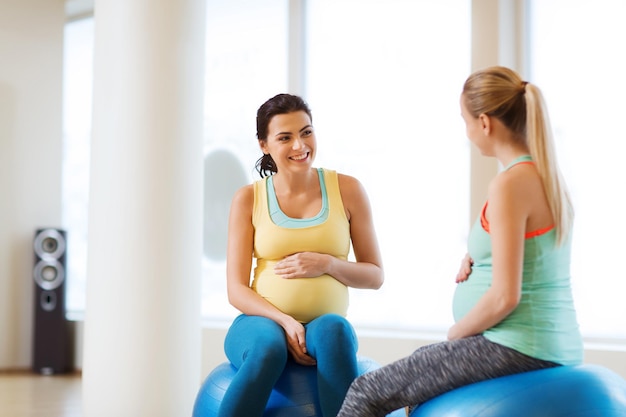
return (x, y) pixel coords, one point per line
(367, 271)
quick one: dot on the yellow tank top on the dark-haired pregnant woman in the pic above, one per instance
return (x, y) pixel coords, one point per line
(302, 298)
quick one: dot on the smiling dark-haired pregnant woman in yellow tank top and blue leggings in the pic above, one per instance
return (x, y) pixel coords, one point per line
(297, 224)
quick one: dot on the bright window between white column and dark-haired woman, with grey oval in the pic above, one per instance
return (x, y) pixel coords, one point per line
(246, 64)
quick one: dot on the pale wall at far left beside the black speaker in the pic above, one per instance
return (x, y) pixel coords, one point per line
(31, 55)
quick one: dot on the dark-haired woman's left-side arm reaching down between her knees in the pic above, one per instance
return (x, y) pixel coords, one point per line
(238, 268)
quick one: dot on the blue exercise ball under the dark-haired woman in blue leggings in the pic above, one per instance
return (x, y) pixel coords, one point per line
(294, 395)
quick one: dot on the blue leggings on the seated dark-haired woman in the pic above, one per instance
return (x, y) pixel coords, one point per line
(257, 347)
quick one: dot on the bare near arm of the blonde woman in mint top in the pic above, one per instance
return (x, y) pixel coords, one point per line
(507, 214)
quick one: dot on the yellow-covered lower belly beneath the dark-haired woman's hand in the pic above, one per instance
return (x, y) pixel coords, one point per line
(303, 298)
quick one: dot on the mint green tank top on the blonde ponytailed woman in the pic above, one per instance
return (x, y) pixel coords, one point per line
(544, 324)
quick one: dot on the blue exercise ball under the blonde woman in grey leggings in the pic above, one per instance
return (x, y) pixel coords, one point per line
(565, 391)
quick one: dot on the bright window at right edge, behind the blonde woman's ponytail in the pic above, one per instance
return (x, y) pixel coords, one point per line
(577, 60)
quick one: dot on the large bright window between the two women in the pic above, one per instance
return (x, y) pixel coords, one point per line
(384, 79)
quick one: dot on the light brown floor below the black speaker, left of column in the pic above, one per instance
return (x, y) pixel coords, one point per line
(24, 394)
